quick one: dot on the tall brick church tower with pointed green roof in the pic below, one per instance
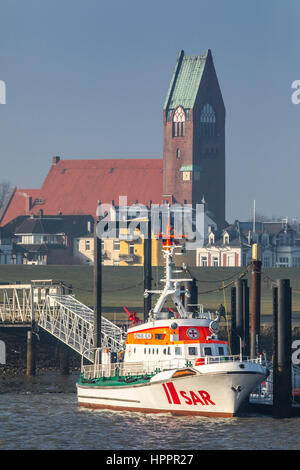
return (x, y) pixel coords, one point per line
(194, 136)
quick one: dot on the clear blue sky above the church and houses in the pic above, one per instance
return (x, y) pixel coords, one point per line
(88, 79)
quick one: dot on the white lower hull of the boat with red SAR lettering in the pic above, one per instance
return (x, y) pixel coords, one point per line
(215, 393)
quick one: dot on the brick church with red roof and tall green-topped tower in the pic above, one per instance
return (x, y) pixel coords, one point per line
(192, 167)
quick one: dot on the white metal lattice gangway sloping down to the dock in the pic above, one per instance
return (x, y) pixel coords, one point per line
(44, 304)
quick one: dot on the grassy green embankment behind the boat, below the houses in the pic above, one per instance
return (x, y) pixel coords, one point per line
(123, 286)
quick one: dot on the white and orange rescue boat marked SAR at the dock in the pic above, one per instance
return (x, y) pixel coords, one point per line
(174, 363)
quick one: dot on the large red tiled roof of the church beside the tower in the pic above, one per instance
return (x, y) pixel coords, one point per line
(75, 186)
